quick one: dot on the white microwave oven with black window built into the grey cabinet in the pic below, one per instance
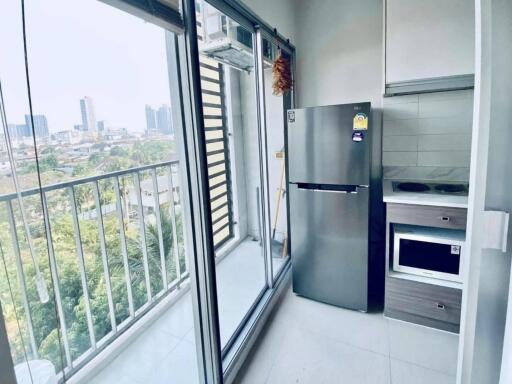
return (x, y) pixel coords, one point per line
(431, 252)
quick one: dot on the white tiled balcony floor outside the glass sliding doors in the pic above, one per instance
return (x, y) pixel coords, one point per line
(165, 352)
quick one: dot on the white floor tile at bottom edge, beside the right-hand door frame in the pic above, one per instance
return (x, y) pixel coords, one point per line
(407, 373)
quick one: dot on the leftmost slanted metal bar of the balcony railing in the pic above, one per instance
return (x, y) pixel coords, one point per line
(21, 278)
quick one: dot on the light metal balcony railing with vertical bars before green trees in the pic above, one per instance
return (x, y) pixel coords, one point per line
(138, 250)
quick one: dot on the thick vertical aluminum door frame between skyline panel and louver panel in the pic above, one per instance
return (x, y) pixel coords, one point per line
(202, 264)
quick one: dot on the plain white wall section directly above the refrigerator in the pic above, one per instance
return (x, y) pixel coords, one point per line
(339, 51)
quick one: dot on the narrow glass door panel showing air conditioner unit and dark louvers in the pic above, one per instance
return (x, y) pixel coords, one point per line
(234, 164)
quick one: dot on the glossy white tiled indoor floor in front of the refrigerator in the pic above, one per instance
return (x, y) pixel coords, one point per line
(309, 342)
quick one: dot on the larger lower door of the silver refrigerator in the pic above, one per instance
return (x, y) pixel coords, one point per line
(329, 245)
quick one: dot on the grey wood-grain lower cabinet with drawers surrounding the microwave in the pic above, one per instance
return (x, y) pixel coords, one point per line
(432, 305)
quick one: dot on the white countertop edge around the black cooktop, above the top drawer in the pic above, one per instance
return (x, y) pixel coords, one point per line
(438, 200)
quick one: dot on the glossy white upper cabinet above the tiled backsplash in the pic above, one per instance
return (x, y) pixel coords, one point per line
(429, 39)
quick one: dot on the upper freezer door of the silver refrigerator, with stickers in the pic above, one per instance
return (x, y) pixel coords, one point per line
(322, 147)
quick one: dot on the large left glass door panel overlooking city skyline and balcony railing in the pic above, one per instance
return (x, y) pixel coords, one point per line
(114, 245)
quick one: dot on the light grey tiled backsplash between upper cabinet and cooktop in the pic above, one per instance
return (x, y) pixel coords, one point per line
(427, 136)
